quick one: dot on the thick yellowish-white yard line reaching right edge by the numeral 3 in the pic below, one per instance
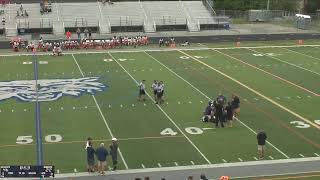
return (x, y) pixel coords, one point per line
(256, 92)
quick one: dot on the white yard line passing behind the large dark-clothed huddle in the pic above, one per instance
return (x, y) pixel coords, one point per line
(210, 99)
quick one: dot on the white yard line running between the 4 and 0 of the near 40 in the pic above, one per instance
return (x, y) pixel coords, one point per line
(163, 111)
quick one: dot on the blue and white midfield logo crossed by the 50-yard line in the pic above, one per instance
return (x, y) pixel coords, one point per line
(49, 89)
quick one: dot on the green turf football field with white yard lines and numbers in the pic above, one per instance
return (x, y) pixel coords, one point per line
(50, 105)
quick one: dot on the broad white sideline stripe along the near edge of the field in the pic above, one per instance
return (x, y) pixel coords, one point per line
(195, 167)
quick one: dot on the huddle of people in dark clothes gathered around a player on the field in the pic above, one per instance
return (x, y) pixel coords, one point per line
(221, 111)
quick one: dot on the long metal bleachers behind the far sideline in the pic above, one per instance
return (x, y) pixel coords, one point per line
(148, 16)
